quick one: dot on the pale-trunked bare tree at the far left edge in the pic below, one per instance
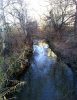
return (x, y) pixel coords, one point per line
(4, 27)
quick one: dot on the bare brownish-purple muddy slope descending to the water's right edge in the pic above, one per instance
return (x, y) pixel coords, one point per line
(65, 52)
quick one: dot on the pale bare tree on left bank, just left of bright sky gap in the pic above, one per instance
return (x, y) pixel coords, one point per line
(20, 14)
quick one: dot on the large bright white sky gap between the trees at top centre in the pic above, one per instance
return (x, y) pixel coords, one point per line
(37, 8)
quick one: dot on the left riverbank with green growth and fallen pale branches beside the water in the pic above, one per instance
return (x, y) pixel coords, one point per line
(17, 66)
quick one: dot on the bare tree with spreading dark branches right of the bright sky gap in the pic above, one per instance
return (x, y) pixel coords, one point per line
(60, 14)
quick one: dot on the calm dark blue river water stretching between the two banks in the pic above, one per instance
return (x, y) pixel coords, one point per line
(48, 79)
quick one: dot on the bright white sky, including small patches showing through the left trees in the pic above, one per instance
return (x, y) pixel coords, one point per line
(36, 9)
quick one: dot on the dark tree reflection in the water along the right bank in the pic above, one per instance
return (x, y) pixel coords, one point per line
(63, 80)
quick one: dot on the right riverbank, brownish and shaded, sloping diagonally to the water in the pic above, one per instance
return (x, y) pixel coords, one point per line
(66, 50)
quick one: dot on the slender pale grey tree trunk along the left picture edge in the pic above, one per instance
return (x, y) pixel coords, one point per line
(3, 34)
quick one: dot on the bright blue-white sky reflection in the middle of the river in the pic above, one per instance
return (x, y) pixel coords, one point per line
(42, 62)
